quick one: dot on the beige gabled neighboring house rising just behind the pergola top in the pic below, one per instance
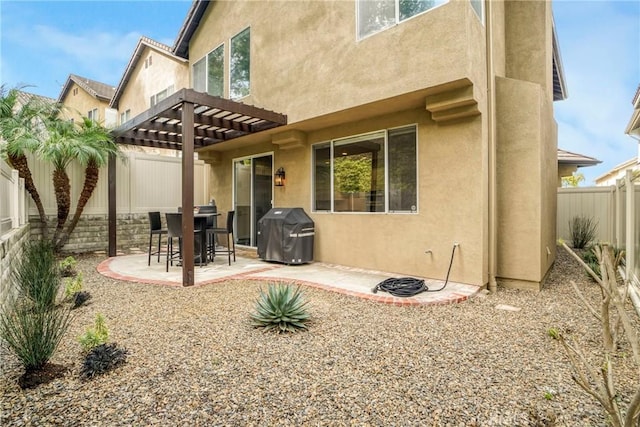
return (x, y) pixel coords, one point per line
(152, 74)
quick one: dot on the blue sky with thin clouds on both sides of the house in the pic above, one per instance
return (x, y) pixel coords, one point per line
(42, 42)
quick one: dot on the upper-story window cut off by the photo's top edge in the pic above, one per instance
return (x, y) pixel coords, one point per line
(376, 15)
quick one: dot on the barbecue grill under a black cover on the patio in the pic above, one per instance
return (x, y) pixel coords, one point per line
(286, 235)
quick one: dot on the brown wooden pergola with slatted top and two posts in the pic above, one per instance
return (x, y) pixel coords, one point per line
(186, 121)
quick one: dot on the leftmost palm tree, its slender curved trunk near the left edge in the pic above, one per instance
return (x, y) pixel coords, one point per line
(21, 132)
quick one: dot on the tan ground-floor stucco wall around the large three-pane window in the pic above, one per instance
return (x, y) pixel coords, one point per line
(451, 201)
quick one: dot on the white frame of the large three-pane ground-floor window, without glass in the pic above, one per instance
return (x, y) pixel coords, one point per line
(331, 145)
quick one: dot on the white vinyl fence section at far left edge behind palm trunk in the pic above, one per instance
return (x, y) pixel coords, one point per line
(12, 199)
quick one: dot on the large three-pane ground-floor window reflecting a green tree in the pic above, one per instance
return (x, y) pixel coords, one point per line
(375, 172)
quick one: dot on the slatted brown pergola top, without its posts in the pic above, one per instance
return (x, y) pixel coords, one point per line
(214, 120)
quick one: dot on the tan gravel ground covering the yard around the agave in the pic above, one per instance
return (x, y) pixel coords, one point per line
(194, 359)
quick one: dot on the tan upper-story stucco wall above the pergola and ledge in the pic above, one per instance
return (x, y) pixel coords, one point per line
(300, 49)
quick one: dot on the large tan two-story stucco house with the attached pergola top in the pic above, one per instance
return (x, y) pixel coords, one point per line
(409, 129)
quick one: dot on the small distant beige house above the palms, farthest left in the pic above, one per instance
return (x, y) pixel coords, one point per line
(84, 97)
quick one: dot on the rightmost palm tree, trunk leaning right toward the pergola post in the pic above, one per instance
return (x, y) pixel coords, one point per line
(97, 147)
